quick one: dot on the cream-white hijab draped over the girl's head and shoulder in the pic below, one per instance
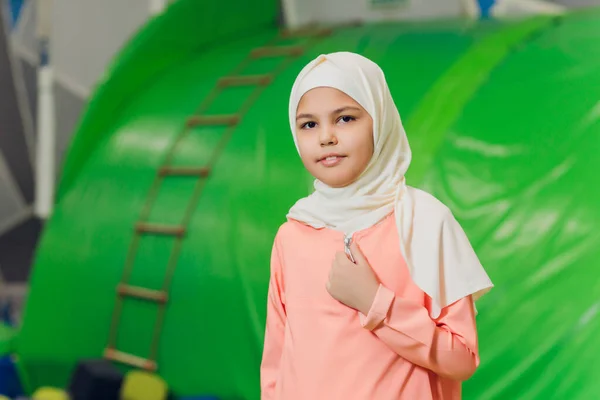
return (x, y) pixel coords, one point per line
(439, 256)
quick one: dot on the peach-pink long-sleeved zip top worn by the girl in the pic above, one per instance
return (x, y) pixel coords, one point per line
(317, 348)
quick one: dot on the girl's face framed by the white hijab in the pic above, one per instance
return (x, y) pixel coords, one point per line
(335, 136)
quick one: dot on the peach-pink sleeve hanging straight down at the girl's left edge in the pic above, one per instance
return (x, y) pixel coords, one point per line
(274, 332)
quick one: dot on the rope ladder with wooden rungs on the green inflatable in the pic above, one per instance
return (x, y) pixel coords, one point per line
(234, 78)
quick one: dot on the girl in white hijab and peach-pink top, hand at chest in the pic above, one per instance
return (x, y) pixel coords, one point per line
(372, 281)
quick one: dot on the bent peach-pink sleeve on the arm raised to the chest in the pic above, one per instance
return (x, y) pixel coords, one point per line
(446, 346)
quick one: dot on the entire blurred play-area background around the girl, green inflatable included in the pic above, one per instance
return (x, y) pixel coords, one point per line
(146, 163)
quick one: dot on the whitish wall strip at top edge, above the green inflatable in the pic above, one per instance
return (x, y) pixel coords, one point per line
(302, 12)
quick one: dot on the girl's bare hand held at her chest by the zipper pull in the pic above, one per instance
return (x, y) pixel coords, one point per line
(354, 285)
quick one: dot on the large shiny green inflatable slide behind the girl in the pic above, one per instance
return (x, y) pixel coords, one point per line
(183, 167)
